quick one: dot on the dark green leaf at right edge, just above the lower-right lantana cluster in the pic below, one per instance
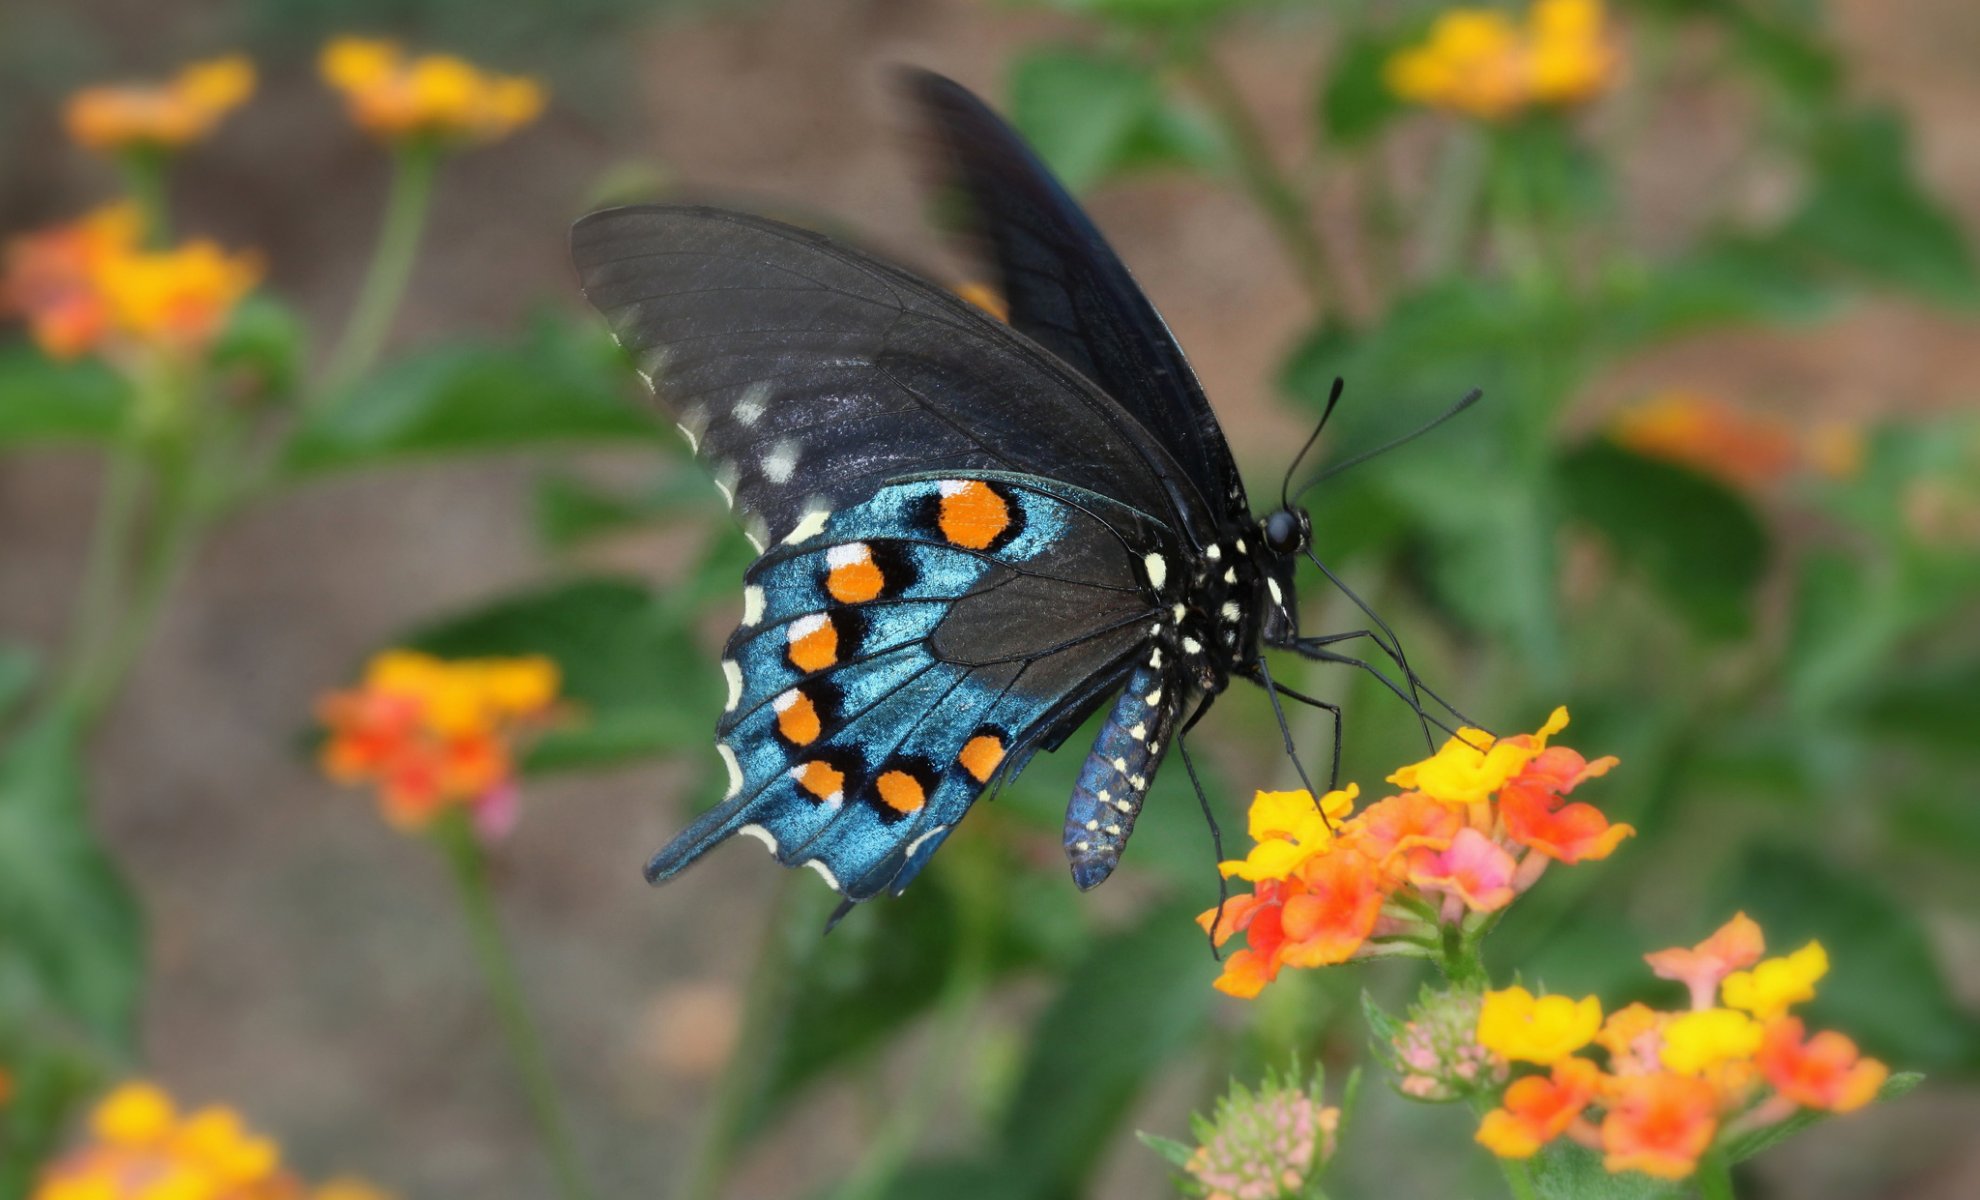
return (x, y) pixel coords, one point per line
(1886, 987)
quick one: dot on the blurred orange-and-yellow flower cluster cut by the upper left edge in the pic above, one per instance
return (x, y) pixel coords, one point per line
(92, 286)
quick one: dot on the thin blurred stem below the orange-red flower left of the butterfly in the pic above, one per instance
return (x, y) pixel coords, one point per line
(498, 969)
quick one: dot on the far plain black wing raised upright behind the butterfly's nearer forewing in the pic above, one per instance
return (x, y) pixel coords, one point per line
(1066, 288)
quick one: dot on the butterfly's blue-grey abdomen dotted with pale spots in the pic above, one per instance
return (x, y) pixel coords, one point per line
(1116, 777)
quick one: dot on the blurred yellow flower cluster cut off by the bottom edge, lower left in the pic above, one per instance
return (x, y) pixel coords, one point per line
(144, 1148)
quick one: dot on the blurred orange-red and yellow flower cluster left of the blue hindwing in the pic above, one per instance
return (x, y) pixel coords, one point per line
(439, 736)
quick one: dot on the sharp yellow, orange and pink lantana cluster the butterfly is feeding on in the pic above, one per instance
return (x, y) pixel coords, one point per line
(1474, 827)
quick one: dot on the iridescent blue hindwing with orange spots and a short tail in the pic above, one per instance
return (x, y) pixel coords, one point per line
(920, 645)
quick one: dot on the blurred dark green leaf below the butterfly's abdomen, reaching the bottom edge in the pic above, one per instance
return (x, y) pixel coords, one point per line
(1122, 1017)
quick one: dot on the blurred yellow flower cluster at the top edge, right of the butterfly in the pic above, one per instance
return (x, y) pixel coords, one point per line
(1480, 62)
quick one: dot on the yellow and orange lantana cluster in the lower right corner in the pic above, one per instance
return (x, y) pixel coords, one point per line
(1672, 1086)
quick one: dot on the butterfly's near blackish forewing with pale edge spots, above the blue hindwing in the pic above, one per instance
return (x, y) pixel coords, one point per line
(809, 373)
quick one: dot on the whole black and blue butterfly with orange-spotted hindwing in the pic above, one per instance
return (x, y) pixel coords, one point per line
(971, 534)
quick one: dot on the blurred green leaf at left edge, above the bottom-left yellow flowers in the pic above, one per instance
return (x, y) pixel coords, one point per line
(74, 946)
